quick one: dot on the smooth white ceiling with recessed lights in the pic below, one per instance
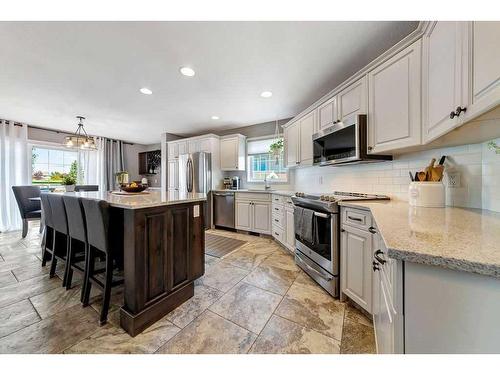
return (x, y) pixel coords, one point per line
(52, 71)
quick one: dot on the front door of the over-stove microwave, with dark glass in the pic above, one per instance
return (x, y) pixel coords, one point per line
(337, 144)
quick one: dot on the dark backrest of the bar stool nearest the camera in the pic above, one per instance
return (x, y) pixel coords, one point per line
(97, 219)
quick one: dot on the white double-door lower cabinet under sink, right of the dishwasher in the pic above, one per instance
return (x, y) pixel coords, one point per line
(253, 215)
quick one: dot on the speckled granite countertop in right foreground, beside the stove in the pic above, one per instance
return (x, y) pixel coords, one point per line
(458, 238)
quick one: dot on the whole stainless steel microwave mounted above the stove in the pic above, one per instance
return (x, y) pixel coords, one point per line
(344, 142)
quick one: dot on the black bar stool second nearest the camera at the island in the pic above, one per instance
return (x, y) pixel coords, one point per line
(77, 233)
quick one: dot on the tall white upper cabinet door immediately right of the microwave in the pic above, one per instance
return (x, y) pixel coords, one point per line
(394, 96)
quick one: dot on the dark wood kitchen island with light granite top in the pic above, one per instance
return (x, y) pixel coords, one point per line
(163, 251)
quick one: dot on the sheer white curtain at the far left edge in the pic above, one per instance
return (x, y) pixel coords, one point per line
(14, 170)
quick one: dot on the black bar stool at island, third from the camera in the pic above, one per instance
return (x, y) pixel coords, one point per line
(61, 238)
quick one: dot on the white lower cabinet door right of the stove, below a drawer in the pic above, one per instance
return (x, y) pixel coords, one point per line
(356, 258)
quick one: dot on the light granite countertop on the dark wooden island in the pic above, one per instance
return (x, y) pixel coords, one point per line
(154, 198)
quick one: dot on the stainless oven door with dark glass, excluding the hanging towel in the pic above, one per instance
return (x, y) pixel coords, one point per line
(325, 249)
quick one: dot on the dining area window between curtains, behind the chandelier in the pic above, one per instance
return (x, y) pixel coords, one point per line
(48, 165)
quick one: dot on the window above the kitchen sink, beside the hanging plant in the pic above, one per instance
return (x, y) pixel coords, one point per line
(262, 164)
